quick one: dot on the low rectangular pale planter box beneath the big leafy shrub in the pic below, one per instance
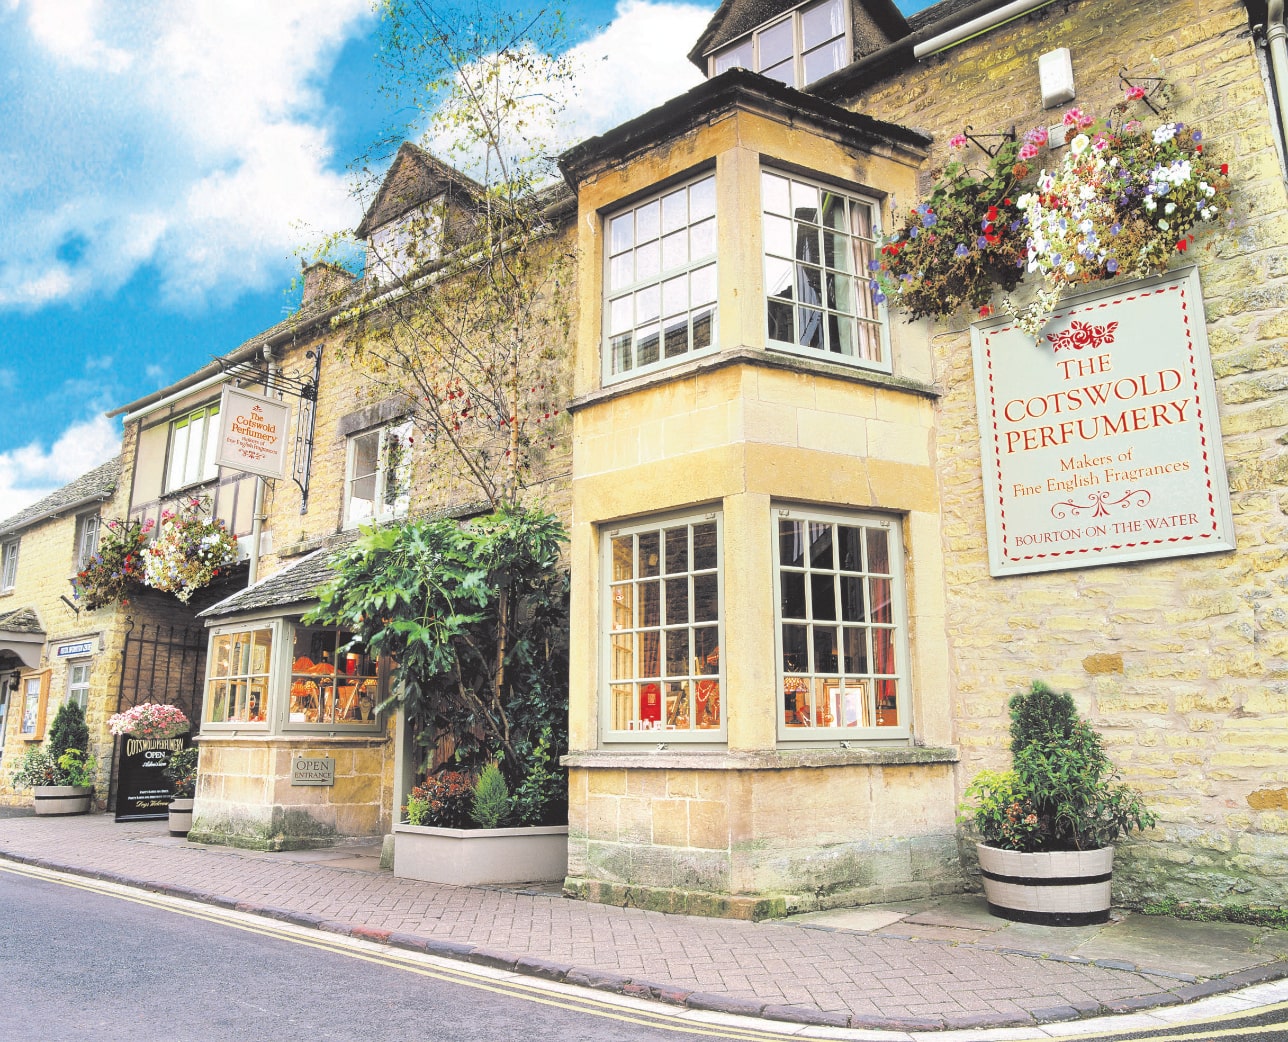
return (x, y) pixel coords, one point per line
(469, 857)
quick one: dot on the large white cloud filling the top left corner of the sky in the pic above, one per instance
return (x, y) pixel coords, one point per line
(186, 136)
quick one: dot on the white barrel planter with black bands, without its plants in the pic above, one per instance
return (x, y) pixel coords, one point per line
(1059, 888)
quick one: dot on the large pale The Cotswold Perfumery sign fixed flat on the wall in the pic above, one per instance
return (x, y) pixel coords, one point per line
(1102, 444)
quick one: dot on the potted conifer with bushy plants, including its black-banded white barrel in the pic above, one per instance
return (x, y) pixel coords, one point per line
(1049, 824)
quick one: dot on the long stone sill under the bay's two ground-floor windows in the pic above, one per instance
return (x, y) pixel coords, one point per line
(676, 759)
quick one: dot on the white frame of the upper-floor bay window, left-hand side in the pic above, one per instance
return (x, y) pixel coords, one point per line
(628, 308)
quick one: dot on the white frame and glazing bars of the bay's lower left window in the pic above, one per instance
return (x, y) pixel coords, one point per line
(611, 691)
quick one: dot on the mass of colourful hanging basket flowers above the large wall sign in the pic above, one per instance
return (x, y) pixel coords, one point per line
(1120, 202)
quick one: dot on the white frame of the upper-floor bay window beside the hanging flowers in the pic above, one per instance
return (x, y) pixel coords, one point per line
(869, 321)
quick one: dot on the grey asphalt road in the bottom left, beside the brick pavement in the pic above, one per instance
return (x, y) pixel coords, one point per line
(82, 965)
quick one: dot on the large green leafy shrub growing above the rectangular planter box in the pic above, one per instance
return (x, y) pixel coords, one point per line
(475, 616)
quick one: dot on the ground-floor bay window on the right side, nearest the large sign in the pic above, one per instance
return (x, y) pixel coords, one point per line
(842, 627)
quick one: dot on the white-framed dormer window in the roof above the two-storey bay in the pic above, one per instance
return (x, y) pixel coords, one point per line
(798, 50)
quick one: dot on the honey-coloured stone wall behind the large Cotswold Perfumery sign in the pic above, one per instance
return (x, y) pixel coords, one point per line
(1182, 664)
